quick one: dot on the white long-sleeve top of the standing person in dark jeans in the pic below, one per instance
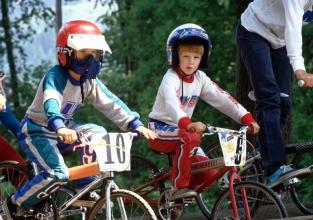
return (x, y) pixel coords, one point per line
(280, 23)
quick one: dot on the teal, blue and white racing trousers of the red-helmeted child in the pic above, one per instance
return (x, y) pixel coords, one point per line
(40, 145)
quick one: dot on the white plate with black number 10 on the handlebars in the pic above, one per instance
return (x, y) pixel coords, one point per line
(112, 151)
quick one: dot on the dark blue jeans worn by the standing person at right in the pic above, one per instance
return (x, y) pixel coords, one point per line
(270, 75)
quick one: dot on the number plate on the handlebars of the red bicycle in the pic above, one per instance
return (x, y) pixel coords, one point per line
(233, 147)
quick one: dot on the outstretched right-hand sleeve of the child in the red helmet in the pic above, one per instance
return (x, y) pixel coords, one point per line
(113, 107)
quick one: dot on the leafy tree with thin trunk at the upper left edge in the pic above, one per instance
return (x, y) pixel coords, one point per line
(17, 24)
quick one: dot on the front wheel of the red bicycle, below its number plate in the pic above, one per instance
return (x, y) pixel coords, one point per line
(263, 203)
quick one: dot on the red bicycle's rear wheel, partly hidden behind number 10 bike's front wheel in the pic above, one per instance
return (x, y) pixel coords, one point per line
(146, 170)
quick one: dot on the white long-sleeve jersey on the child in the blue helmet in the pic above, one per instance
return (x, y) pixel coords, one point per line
(169, 107)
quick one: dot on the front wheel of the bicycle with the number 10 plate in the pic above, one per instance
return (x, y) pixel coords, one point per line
(135, 206)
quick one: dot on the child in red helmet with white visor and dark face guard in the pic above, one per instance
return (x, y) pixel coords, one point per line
(61, 92)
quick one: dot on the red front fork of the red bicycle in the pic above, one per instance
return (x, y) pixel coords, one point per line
(232, 194)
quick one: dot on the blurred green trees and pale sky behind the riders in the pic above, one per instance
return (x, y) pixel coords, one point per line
(136, 31)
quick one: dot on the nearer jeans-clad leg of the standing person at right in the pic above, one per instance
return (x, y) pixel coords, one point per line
(256, 54)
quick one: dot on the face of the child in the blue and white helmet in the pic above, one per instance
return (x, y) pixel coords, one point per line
(189, 61)
